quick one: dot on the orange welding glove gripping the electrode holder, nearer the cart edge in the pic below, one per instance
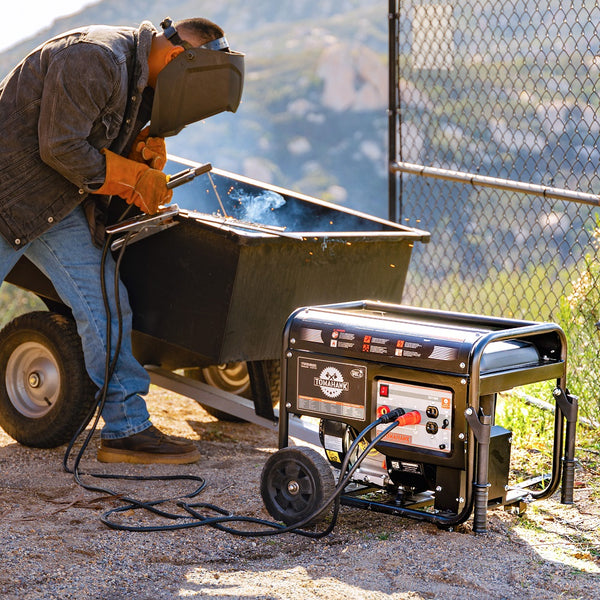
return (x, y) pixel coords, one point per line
(135, 182)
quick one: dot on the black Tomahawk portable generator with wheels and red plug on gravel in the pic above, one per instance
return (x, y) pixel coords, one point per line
(349, 365)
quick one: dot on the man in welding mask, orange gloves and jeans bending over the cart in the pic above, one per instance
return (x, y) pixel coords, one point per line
(73, 116)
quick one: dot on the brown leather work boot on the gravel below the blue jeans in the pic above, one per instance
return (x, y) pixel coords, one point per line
(148, 447)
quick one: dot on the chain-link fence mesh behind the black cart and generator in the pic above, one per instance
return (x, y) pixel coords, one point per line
(508, 90)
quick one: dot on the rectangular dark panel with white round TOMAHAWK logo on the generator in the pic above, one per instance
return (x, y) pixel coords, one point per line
(331, 388)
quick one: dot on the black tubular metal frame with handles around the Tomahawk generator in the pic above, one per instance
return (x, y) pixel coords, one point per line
(479, 412)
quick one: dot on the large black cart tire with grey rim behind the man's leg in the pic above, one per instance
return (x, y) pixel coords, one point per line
(45, 391)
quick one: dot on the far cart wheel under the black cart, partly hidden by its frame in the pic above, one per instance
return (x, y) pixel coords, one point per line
(234, 378)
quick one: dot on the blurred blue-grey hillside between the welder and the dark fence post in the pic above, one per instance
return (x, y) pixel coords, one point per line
(313, 116)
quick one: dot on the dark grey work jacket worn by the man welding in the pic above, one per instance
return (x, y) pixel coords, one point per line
(74, 95)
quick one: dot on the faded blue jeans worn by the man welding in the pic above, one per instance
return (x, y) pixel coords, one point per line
(66, 255)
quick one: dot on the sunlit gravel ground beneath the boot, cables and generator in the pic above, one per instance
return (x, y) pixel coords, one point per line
(54, 546)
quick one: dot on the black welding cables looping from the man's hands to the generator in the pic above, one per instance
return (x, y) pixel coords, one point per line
(192, 517)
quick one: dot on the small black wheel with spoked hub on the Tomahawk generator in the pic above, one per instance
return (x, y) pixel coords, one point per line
(294, 483)
